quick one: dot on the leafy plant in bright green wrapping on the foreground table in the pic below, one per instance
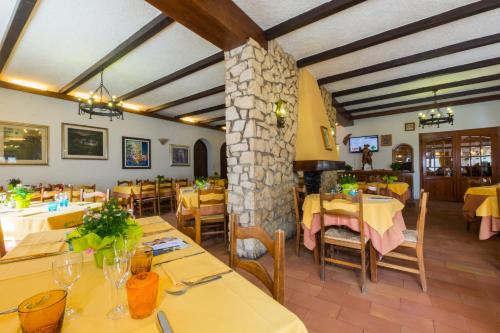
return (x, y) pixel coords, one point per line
(102, 232)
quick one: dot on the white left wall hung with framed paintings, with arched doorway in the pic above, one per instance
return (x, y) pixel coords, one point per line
(28, 108)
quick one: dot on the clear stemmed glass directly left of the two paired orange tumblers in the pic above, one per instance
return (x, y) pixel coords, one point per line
(116, 270)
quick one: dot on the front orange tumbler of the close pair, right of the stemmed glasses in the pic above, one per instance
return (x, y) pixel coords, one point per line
(142, 290)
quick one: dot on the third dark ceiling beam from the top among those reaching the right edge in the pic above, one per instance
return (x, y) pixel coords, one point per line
(411, 78)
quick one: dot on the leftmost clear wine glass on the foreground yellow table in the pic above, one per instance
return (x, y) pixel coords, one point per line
(66, 270)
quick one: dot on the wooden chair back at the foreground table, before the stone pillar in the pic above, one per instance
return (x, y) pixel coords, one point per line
(276, 249)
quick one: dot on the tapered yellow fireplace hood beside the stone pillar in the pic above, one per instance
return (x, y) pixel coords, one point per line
(315, 148)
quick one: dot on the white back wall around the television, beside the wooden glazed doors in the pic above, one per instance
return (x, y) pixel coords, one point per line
(466, 117)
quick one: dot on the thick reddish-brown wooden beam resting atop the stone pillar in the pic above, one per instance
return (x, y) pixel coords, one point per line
(221, 22)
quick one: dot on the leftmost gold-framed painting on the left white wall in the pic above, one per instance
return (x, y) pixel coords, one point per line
(23, 144)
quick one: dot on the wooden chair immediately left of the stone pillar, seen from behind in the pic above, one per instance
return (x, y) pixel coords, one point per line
(210, 224)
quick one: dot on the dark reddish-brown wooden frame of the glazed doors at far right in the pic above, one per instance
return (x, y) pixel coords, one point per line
(487, 131)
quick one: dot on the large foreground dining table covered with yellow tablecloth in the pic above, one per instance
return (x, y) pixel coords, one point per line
(228, 304)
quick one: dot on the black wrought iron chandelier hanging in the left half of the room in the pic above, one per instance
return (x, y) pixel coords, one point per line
(96, 105)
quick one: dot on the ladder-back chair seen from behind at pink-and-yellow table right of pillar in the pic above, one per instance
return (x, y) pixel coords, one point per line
(343, 237)
